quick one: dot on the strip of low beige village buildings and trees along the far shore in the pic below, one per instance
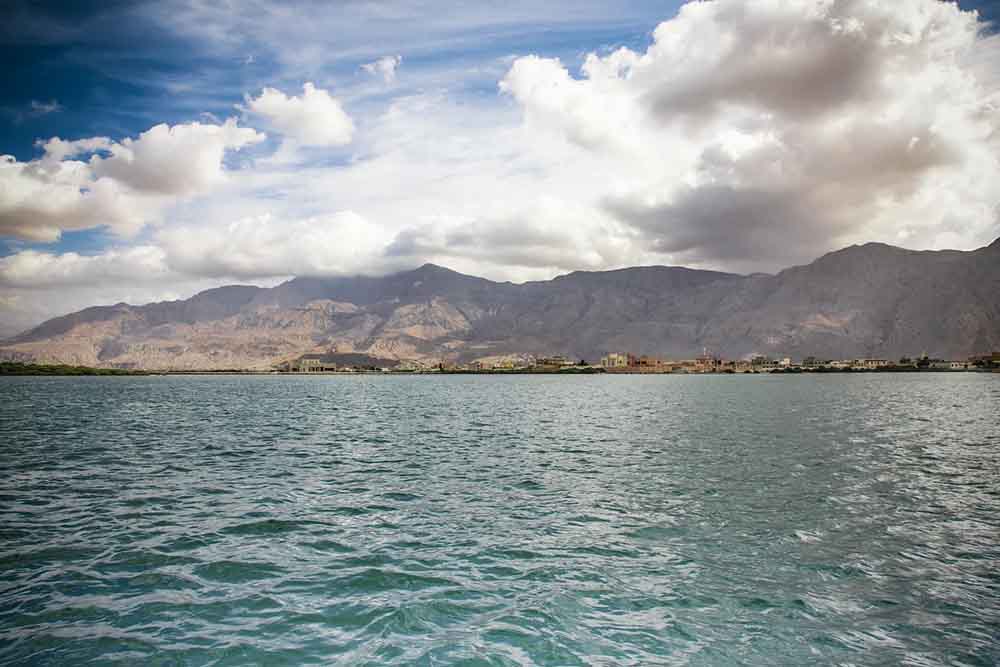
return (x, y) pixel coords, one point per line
(628, 363)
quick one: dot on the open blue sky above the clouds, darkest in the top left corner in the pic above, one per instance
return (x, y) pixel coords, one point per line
(78, 70)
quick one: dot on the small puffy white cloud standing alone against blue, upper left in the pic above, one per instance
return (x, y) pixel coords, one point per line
(315, 118)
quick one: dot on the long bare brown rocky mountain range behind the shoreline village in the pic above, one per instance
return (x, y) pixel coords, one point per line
(869, 300)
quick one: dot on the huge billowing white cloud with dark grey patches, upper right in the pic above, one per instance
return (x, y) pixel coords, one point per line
(769, 132)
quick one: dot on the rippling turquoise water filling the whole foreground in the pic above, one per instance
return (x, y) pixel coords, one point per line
(485, 520)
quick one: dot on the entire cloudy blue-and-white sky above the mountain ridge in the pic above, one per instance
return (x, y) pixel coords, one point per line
(149, 150)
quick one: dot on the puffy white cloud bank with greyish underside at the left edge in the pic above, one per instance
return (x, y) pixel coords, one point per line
(123, 185)
